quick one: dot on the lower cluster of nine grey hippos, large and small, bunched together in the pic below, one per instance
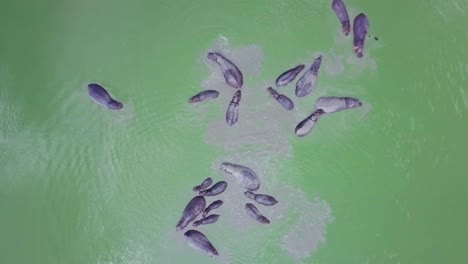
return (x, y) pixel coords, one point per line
(247, 179)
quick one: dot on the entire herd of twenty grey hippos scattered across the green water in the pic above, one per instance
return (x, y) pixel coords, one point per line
(245, 176)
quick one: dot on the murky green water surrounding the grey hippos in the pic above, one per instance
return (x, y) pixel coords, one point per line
(81, 184)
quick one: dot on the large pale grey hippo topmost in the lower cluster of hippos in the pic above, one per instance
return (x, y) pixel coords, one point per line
(246, 177)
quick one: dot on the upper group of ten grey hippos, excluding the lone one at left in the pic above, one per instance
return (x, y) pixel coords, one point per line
(304, 85)
